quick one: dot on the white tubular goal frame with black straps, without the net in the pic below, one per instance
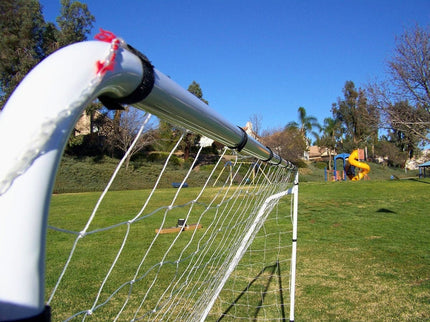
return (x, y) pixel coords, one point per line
(35, 125)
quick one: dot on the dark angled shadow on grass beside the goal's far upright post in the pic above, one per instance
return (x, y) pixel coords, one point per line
(274, 270)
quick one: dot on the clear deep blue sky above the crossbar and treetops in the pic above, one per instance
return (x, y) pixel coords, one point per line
(264, 57)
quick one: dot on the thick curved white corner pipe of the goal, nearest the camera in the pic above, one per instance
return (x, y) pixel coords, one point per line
(59, 83)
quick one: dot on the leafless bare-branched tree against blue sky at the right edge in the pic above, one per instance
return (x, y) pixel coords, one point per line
(409, 79)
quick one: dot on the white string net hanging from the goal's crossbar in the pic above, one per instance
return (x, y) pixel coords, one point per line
(218, 251)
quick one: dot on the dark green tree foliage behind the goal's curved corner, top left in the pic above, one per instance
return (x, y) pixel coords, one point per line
(26, 38)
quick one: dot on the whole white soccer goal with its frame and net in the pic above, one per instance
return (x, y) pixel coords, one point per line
(222, 249)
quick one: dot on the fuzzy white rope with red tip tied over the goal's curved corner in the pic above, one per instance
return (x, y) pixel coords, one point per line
(37, 142)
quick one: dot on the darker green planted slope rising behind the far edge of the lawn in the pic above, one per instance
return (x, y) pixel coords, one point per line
(92, 174)
